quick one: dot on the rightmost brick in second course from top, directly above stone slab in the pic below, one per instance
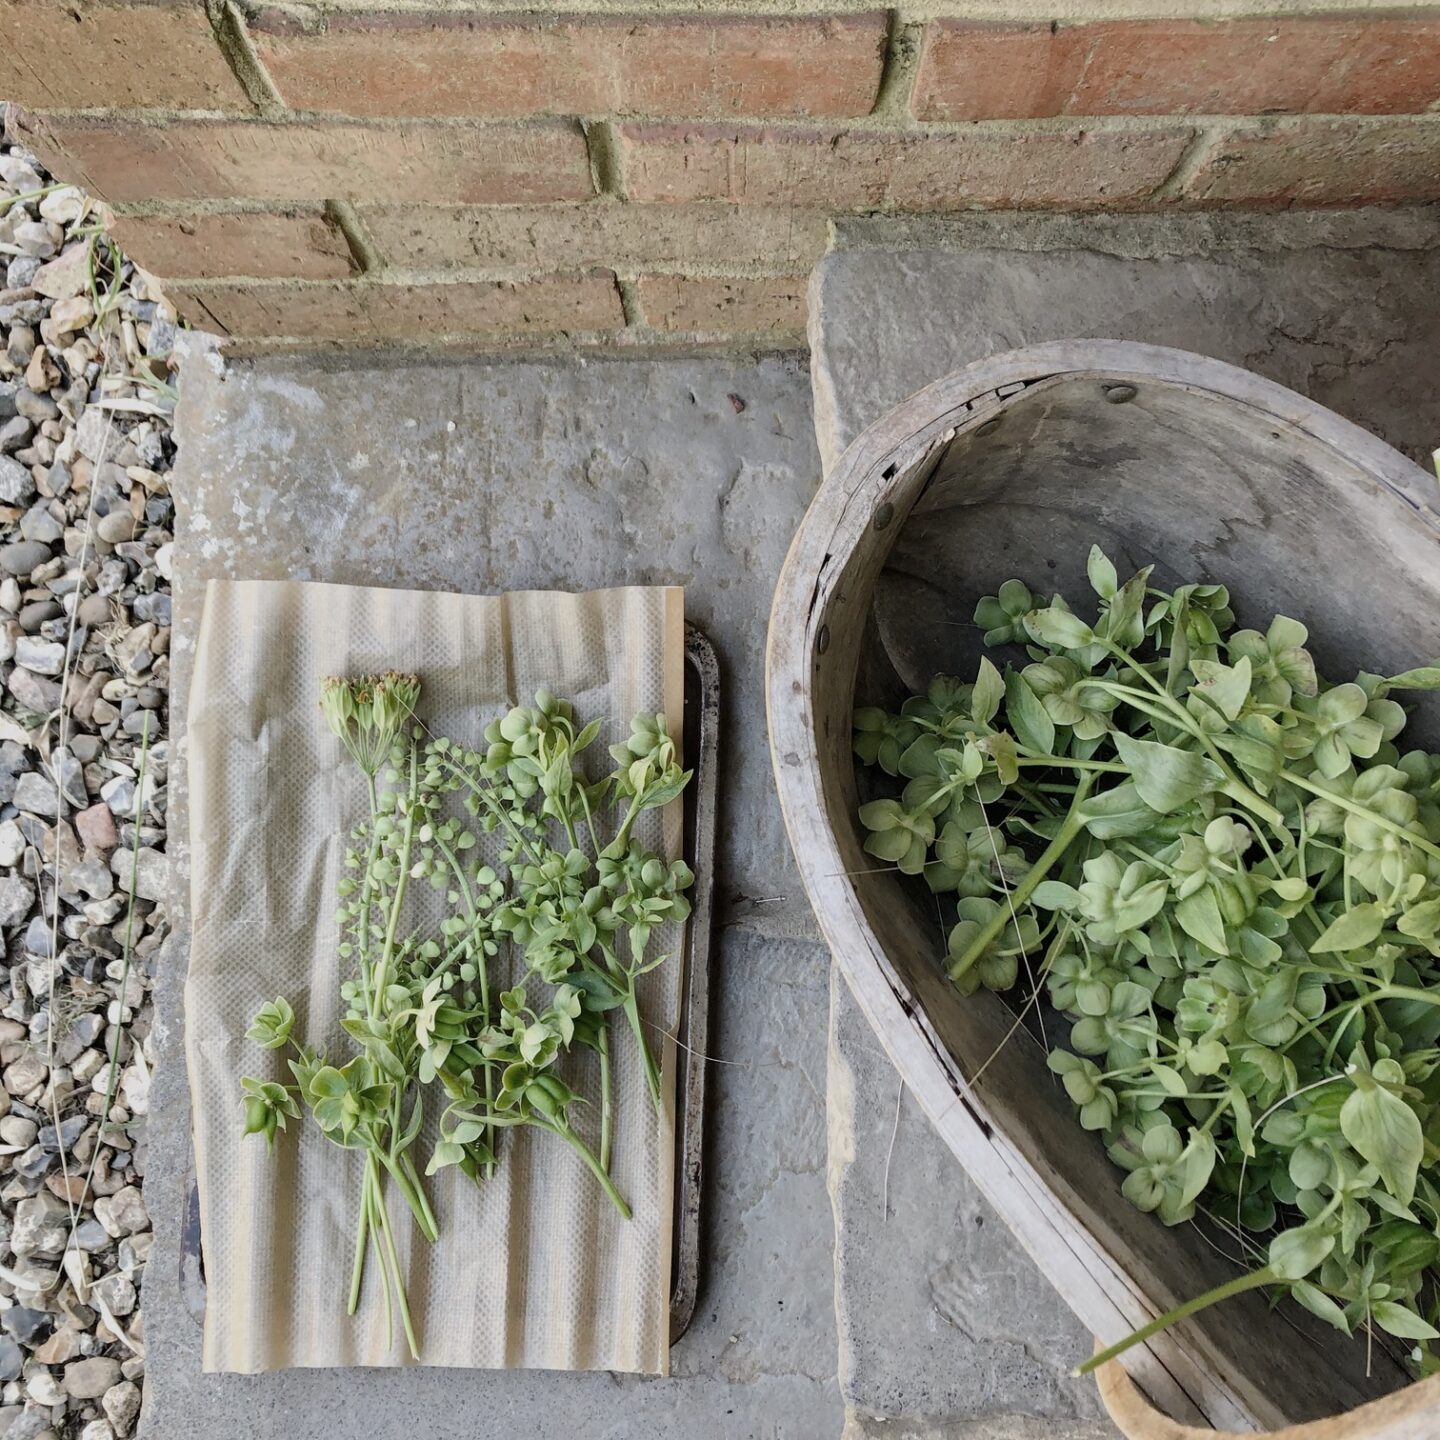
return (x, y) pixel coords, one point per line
(1310, 163)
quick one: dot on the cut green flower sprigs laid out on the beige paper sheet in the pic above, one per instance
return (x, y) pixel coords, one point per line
(423, 1002)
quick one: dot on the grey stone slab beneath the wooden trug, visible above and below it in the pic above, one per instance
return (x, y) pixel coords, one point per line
(1341, 307)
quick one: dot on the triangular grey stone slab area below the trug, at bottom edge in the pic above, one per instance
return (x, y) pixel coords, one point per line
(944, 1321)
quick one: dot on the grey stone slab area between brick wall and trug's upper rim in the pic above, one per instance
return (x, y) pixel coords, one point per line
(1340, 307)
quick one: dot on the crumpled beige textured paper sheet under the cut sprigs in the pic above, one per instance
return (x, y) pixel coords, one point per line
(534, 1269)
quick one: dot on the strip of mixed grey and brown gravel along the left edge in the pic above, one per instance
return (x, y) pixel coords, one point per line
(86, 404)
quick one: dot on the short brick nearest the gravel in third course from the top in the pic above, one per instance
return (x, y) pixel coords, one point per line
(264, 244)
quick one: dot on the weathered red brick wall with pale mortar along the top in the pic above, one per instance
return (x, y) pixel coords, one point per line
(336, 172)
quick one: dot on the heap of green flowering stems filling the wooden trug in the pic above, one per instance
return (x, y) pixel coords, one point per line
(1225, 873)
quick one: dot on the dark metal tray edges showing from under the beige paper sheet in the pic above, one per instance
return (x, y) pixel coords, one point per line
(702, 741)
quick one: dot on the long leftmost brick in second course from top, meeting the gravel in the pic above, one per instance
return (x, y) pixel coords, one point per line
(126, 162)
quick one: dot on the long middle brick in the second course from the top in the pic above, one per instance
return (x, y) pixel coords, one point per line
(911, 171)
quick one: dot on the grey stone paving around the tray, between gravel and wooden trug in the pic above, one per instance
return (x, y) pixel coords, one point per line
(499, 476)
